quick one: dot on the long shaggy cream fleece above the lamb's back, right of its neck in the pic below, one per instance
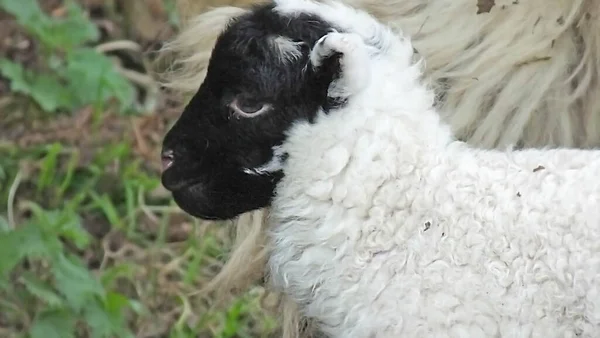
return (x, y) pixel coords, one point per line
(525, 73)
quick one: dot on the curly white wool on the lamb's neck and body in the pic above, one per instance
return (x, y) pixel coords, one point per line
(386, 226)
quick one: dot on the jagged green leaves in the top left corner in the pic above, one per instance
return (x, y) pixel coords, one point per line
(84, 77)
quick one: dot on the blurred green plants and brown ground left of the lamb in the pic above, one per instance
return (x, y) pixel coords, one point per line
(91, 245)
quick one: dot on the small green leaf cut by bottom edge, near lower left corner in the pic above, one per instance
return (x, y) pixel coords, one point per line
(53, 324)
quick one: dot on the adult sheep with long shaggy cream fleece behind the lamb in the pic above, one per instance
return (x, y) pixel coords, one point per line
(554, 70)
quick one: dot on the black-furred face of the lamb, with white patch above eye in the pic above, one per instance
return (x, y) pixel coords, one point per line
(223, 131)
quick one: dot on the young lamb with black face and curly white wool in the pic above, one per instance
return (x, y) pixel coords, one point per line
(383, 224)
